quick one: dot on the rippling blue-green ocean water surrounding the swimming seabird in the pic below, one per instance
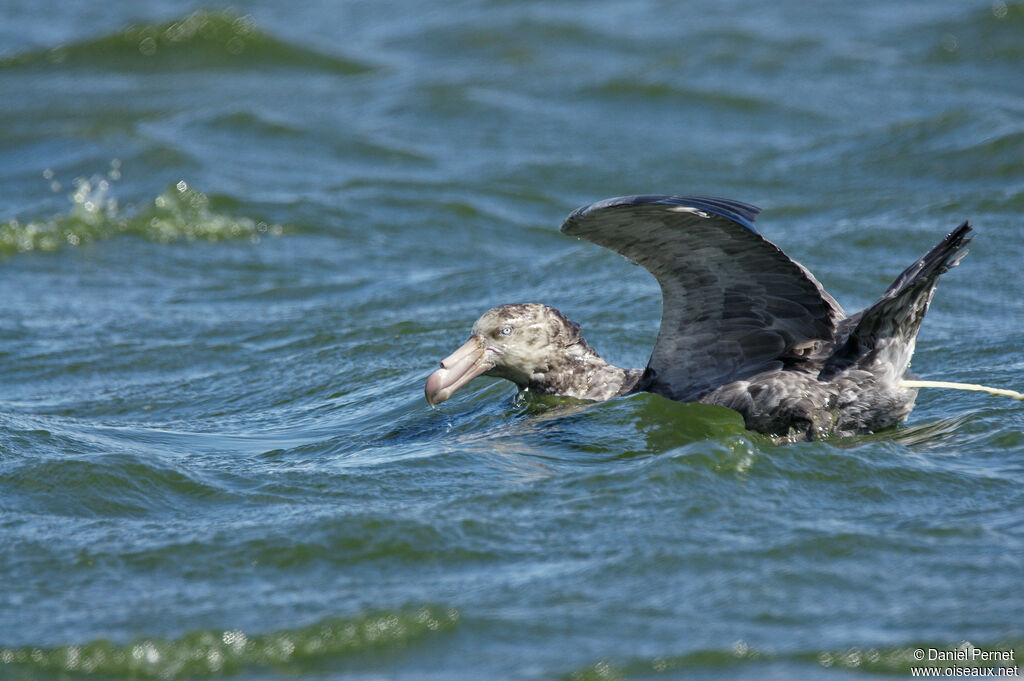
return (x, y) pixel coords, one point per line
(236, 241)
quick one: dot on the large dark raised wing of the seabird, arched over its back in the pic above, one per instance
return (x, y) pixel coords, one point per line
(733, 304)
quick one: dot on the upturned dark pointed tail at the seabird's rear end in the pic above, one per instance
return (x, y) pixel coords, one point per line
(885, 333)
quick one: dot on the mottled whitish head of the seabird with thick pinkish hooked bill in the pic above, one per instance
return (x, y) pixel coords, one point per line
(515, 343)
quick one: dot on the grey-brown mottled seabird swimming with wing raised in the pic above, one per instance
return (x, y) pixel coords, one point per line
(744, 326)
